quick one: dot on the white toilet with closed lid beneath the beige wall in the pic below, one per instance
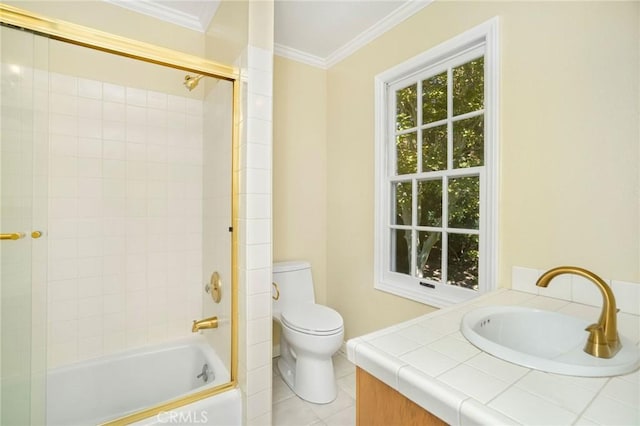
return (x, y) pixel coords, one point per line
(311, 333)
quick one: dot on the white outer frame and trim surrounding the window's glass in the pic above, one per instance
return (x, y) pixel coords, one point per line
(483, 37)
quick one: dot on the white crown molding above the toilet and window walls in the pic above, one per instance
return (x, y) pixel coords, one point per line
(398, 16)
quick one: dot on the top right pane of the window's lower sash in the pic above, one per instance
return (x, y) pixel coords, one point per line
(464, 202)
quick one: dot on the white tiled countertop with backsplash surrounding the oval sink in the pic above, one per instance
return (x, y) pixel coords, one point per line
(430, 362)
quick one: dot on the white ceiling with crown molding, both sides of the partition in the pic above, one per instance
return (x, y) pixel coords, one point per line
(320, 33)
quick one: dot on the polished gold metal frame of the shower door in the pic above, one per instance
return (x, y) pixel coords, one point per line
(99, 40)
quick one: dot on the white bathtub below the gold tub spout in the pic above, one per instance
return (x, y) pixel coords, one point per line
(102, 389)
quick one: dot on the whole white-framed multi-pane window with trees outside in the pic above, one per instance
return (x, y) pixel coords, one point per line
(436, 171)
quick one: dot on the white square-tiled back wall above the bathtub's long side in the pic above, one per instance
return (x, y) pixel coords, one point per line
(125, 217)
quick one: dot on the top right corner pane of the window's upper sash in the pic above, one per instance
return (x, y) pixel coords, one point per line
(468, 87)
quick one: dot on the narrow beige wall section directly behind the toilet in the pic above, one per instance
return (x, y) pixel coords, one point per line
(300, 168)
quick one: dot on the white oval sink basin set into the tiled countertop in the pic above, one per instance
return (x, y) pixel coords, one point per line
(542, 340)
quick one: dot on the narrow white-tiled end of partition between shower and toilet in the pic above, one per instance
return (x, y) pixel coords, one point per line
(254, 297)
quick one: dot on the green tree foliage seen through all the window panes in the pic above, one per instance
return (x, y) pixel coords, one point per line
(463, 192)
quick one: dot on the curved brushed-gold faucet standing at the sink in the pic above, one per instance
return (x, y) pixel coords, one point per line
(603, 341)
